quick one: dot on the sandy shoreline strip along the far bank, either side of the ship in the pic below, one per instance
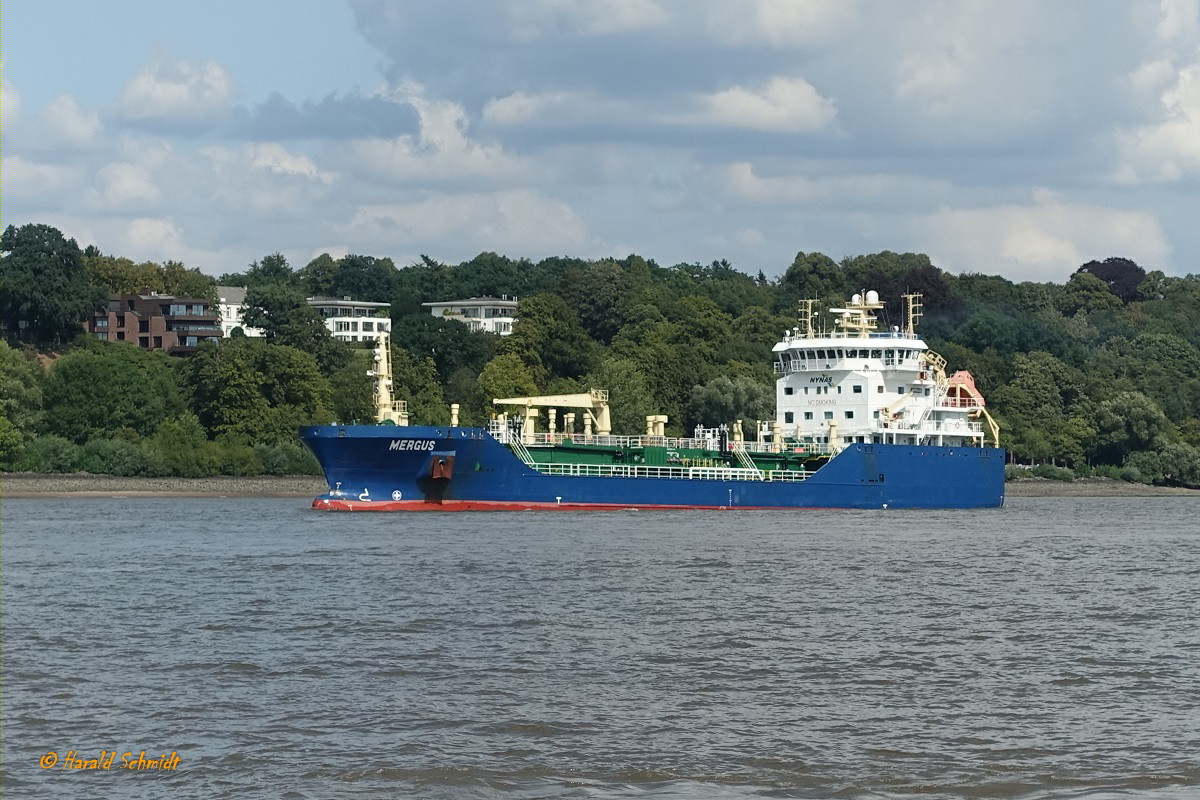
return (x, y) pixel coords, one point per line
(85, 485)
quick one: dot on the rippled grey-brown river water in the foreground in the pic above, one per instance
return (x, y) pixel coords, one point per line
(1051, 649)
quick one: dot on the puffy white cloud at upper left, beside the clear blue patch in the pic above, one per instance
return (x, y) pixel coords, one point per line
(178, 93)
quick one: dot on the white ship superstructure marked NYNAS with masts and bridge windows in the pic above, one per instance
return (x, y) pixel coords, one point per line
(856, 384)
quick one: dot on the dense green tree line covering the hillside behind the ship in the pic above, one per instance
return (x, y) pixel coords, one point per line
(1099, 375)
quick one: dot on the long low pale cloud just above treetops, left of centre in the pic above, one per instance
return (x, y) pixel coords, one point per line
(514, 221)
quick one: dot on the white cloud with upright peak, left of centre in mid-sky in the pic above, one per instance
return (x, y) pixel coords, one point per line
(441, 151)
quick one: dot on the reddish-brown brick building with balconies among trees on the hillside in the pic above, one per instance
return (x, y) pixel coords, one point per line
(157, 322)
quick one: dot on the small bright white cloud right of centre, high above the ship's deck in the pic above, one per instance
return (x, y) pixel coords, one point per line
(782, 105)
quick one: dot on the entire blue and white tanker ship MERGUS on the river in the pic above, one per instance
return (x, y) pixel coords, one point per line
(866, 419)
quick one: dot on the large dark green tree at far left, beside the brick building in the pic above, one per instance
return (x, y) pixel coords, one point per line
(45, 298)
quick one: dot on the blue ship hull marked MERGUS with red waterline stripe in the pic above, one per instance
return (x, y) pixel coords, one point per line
(413, 468)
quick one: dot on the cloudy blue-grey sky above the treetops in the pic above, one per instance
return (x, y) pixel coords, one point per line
(1012, 137)
